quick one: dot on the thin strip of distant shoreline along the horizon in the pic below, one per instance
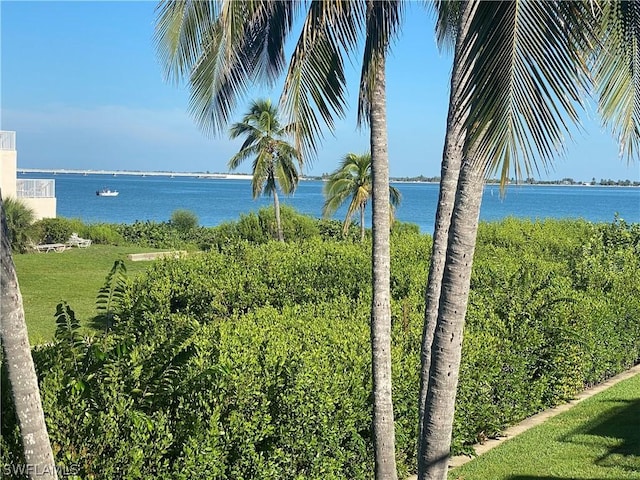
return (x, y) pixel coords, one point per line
(246, 176)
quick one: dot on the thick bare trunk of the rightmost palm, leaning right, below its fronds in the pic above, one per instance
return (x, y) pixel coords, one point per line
(447, 342)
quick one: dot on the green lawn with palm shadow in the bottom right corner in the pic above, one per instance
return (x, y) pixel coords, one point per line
(597, 439)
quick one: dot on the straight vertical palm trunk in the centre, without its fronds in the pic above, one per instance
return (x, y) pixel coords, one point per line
(383, 422)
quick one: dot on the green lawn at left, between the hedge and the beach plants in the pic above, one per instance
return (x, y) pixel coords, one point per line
(75, 276)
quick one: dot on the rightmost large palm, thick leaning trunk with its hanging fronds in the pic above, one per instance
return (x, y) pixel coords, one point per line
(520, 73)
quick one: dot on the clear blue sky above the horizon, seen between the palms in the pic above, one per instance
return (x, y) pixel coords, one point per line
(82, 87)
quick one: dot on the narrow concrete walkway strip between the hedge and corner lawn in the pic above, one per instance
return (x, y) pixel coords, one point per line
(538, 419)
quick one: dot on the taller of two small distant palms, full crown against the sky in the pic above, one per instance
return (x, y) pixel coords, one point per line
(273, 164)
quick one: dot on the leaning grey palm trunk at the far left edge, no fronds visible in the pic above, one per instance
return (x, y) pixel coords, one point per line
(21, 371)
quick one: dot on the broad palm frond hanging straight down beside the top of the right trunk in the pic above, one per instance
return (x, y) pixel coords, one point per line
(525, 76)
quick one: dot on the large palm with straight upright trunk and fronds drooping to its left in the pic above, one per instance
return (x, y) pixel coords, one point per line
(223, 47)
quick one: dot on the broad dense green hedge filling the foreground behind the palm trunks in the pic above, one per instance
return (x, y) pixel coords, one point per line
(253, 360)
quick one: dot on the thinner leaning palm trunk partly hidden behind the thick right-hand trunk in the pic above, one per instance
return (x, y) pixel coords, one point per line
(450, 170)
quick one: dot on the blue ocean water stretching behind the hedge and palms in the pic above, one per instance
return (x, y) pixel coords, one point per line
(216, 200)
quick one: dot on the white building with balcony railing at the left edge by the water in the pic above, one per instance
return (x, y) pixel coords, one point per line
(39, 195)
